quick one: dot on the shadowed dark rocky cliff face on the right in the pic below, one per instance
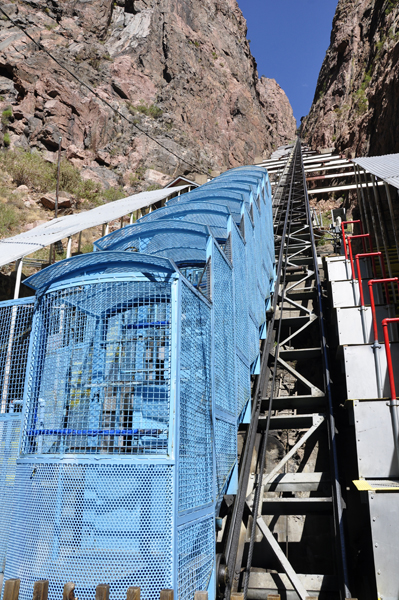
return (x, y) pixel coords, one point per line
(355, 105)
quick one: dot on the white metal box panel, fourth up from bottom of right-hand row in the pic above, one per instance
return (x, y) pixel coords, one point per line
(355, 325)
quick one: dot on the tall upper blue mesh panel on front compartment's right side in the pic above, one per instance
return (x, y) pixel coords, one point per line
(195, 460)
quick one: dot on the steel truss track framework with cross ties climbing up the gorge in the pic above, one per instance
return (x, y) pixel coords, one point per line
(295, 340)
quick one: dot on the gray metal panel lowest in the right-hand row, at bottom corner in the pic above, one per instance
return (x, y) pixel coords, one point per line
(384, 520)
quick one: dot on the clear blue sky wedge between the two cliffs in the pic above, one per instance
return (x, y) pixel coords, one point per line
(289, 39)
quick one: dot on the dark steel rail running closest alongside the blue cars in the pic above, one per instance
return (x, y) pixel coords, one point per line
(235, 520)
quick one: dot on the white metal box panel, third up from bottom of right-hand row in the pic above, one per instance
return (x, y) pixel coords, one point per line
(360, 371)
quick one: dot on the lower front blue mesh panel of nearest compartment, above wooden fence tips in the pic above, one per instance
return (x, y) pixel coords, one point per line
(92, 523)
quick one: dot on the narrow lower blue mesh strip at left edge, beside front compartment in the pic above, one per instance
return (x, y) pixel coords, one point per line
(10, 428)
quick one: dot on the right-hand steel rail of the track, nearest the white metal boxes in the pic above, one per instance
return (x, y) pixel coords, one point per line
(338, 507)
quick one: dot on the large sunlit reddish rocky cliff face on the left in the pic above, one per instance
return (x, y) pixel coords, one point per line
(180, 70)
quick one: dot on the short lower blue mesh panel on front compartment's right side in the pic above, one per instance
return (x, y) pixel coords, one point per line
(196, 548)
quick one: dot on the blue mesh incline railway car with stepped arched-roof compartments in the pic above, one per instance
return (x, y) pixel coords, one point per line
(123, 381)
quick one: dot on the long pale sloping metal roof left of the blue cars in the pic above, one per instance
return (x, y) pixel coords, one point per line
(25, 243)
